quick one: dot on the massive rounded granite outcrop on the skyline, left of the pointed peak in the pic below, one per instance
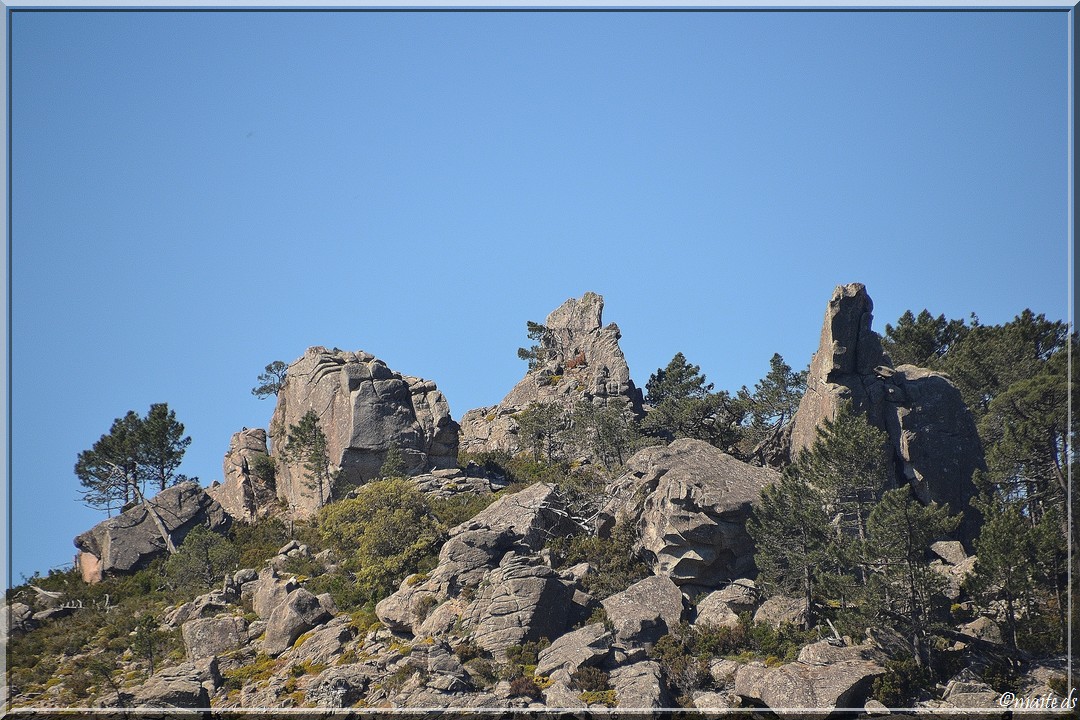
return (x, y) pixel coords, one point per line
(364, 409)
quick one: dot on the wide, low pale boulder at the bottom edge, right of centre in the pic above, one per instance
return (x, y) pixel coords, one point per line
(825, 677)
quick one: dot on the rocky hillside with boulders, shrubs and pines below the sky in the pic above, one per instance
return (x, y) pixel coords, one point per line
(883, 531)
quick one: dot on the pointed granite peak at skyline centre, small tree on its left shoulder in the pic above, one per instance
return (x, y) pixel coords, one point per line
(583, 361)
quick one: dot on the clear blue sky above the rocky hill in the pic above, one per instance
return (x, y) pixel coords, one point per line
(196, 195)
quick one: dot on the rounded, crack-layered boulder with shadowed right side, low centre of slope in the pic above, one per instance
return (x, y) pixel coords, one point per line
(523, 601)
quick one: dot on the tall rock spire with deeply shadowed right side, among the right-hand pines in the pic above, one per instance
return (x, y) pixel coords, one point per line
(934, 437)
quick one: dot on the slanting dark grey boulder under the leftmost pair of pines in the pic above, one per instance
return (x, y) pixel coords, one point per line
(129, 541)
